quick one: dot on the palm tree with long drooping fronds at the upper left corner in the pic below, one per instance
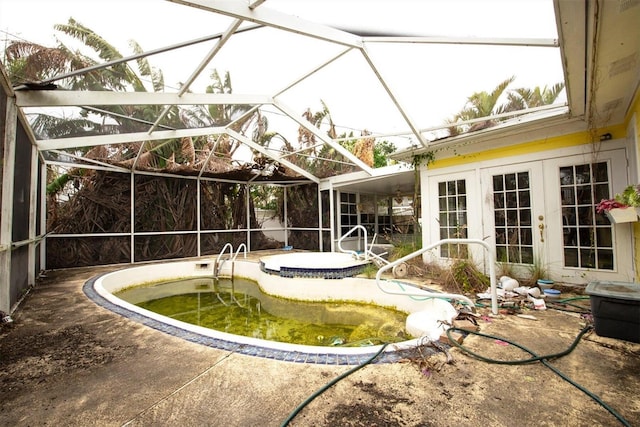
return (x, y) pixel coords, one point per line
(29, 63)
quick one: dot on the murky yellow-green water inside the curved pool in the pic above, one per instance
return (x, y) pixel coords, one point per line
(239, 307)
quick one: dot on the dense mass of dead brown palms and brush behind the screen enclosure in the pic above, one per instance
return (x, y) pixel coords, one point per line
(85, 201)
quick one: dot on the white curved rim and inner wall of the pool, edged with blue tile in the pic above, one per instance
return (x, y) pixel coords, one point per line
(101, 289)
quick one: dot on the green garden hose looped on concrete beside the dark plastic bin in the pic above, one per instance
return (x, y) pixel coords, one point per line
(536, 358)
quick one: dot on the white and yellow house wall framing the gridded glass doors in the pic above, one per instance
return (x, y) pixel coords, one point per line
(543, 157)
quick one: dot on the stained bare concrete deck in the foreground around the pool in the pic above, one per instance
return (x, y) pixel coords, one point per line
(66, 361)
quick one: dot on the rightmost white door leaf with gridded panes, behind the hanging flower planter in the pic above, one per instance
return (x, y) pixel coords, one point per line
(583, 245)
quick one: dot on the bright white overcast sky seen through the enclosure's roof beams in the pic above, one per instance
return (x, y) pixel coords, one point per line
(431, 82)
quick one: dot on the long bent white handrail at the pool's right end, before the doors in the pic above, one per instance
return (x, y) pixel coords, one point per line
(492, 272)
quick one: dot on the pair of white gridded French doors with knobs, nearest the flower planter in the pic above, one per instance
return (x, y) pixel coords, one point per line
(542, 214)
